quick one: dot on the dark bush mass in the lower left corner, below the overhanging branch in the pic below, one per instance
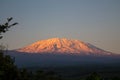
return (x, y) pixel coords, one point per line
(8, 71)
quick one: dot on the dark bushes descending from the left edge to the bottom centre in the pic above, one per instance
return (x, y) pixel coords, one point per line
(9, 71)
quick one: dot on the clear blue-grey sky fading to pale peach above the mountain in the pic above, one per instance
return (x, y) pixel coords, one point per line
(93, 21)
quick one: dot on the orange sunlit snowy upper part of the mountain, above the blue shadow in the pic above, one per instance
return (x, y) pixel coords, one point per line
(63, 46)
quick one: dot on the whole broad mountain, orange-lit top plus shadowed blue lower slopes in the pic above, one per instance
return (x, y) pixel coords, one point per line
(58, 52)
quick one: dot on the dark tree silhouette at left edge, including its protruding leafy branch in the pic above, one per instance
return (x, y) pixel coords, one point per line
(8, 71)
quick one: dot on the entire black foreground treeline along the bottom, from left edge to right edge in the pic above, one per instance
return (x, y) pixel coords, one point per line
(9, 71)
